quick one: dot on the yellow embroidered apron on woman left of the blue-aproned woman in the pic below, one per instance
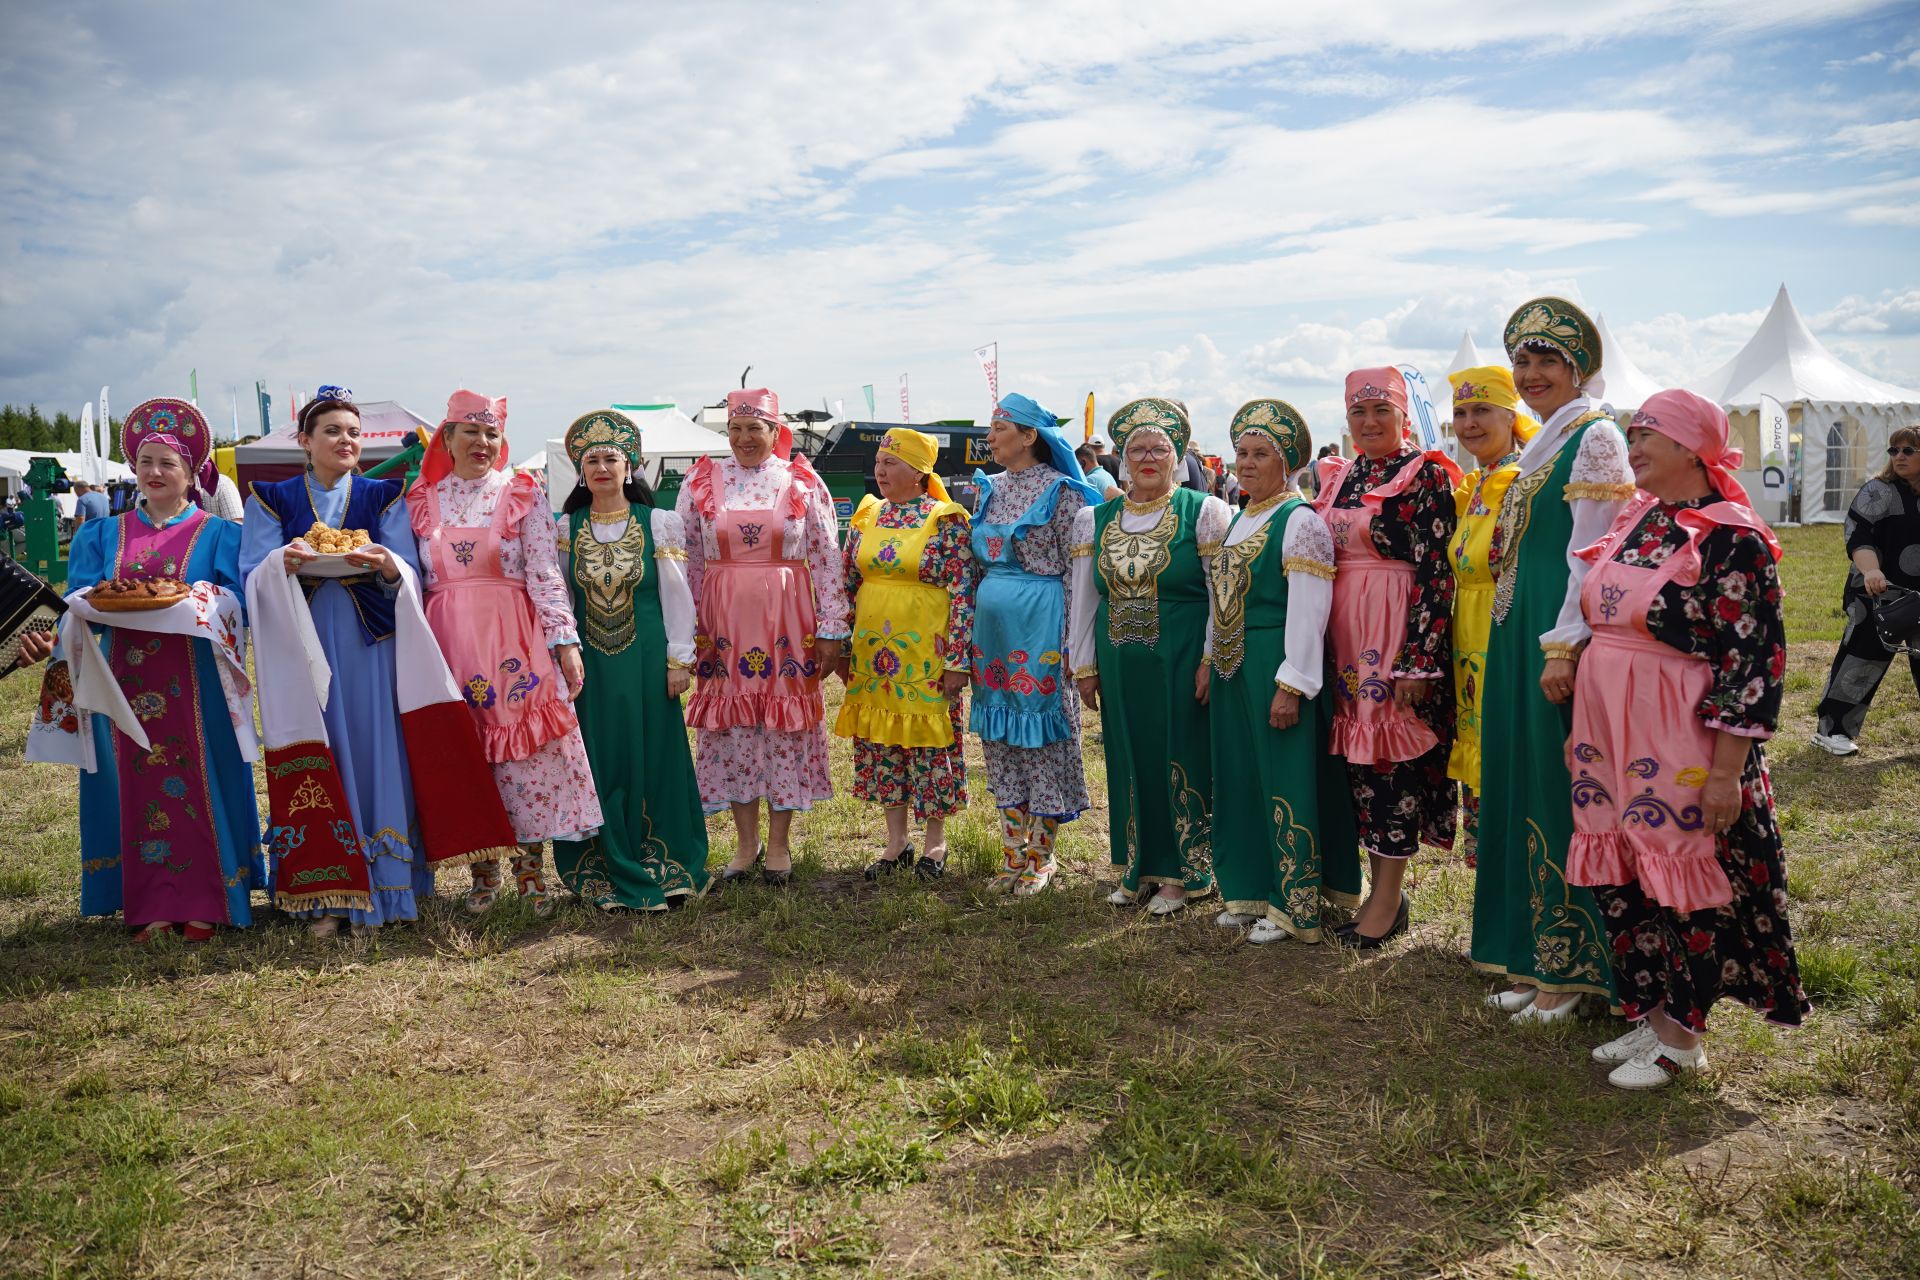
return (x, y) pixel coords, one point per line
(894, 690)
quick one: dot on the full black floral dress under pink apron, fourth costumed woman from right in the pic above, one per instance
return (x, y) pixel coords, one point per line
(1401, 805)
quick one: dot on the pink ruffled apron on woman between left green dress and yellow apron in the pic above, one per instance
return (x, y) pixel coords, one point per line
(757, 628)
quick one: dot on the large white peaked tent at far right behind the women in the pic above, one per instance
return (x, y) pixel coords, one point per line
(1838, 417)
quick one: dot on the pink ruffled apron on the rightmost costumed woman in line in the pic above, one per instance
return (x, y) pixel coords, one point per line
(1641, 753)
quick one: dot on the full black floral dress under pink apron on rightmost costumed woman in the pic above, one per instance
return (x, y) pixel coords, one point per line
(1744, 951)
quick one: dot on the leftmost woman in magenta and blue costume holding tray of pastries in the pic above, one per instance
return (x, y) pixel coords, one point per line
(168, 834)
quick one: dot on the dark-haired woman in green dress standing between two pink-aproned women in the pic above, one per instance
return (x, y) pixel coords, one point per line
(623, 559)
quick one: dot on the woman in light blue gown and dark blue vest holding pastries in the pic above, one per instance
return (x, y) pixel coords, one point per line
(327, 511)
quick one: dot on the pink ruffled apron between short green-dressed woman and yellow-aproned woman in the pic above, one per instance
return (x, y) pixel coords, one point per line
(1372, 596)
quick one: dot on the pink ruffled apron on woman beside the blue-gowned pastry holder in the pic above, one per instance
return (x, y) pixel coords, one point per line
(492, 640)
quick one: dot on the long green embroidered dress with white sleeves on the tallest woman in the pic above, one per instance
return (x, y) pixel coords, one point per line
(1529, 924)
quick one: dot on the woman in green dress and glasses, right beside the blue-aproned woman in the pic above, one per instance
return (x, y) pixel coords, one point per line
(1138, 634)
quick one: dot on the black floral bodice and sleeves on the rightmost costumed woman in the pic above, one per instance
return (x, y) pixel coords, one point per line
(1731, 617)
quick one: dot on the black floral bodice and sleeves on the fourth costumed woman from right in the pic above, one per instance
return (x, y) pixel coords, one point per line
(1416, 527)
